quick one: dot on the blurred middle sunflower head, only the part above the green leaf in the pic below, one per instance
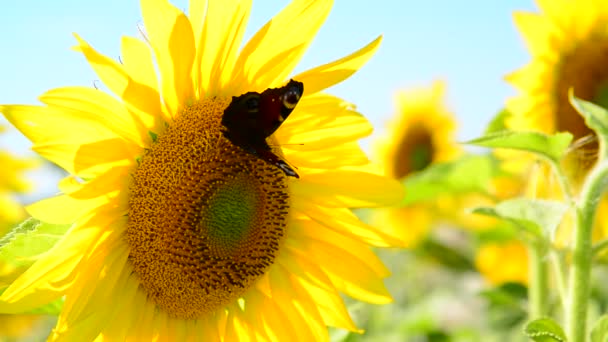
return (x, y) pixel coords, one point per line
(421, 132)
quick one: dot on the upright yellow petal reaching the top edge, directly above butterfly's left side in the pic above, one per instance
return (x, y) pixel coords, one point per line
(223, 30)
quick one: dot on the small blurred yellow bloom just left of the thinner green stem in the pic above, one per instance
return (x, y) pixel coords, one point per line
(501, 262)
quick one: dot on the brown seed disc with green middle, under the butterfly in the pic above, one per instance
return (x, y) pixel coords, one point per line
(206, 219)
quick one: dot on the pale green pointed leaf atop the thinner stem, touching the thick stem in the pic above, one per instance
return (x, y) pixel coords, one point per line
(536, 216)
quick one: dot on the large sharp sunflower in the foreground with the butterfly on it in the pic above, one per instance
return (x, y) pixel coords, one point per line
(181, 233)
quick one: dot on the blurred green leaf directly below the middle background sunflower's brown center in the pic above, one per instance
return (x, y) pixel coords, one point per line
(464, 175)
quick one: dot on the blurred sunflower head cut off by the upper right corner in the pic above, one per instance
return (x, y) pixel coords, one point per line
(568, 42)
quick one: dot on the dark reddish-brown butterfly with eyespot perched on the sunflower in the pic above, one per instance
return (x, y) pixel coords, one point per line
(252, 117)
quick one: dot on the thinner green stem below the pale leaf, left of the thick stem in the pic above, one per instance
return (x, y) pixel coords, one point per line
(538, 274)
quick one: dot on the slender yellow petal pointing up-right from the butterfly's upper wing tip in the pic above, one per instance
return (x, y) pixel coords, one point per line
(327, 75)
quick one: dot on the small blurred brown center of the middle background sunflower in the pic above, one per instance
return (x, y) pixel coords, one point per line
(414, 152)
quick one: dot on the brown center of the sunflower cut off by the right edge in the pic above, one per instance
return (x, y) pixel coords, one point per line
(584, 70)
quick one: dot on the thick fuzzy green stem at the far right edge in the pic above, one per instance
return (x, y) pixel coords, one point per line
(582, 254)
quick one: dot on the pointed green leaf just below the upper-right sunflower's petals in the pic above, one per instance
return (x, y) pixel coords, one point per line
(552, 147)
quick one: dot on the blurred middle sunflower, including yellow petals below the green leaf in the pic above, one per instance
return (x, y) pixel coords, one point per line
(421, 133)
